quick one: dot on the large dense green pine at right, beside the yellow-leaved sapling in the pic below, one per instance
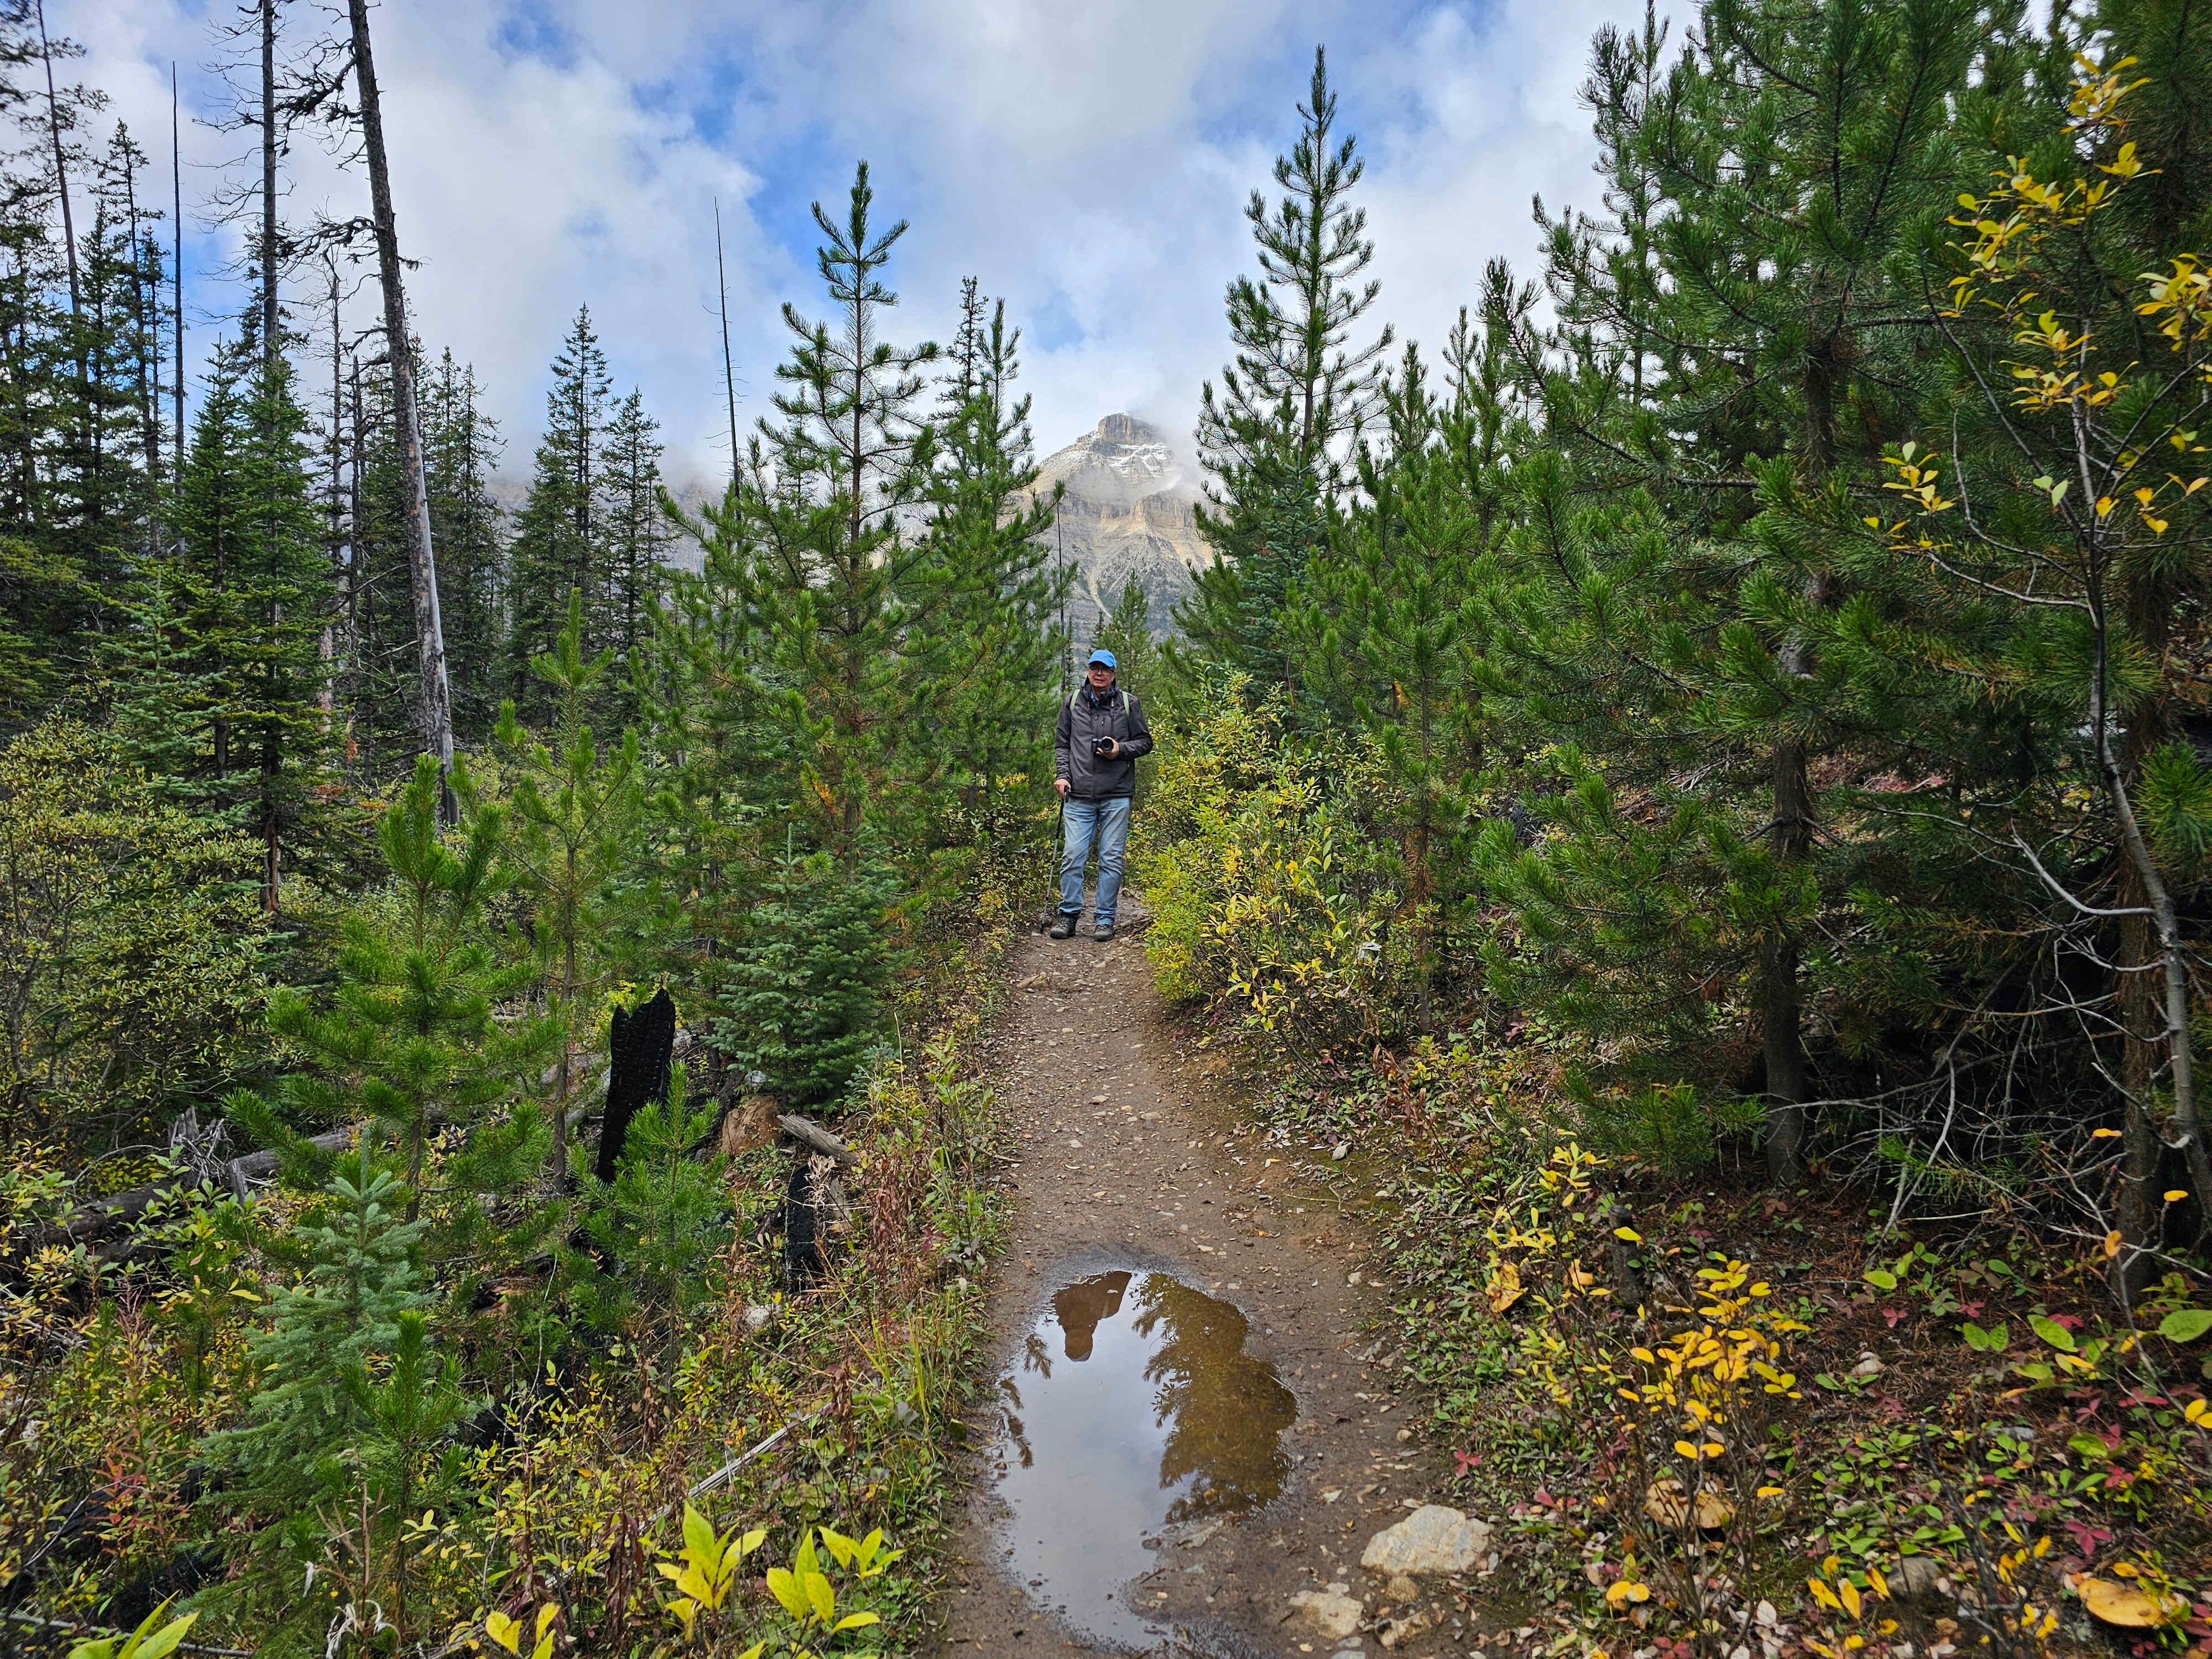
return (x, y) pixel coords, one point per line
(1740, 331)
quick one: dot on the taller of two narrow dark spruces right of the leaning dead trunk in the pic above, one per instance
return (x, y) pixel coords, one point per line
(561, 532)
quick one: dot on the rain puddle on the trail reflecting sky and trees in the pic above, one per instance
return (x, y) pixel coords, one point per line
(1131, 1408)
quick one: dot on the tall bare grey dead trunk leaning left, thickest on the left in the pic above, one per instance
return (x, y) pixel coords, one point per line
(437, 693)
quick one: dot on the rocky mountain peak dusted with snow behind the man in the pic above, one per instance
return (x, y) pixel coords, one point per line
(1129, 508)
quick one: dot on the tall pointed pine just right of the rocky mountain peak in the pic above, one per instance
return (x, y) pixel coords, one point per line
(1275, 435)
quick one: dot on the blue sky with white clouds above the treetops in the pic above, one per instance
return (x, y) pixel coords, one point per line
(1089, 163)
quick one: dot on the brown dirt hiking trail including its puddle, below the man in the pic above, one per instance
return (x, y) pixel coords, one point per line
(1129, 1178)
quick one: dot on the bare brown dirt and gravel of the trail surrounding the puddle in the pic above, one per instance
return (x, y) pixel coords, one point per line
(1129, 1158)
